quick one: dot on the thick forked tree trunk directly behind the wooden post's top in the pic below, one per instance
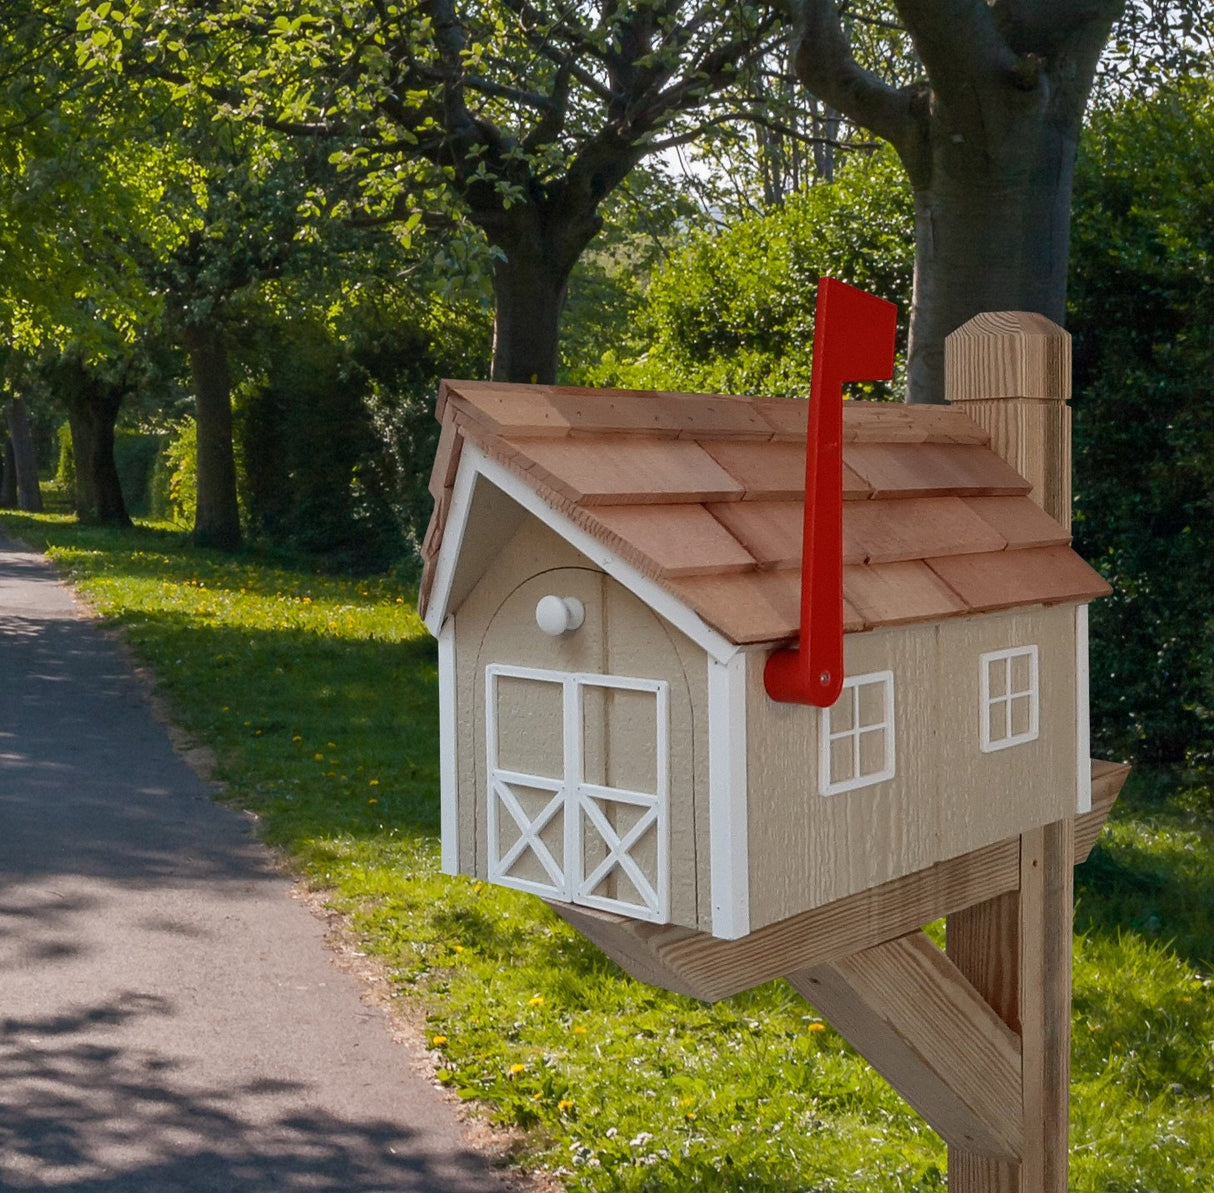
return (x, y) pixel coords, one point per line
(989, 143)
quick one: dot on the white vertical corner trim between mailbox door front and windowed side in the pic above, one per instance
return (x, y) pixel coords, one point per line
(729, 853)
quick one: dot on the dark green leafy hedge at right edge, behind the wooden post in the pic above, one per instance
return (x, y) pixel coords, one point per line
(1143, 317)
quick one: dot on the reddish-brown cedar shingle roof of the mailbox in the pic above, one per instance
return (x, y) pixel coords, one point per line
(705, 496)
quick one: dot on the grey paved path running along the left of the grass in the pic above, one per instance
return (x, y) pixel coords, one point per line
(171, 1021)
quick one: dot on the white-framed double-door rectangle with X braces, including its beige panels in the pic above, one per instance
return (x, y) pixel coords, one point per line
(554, 831)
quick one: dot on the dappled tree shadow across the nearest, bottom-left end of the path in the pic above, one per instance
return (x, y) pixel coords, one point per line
(84, 1112)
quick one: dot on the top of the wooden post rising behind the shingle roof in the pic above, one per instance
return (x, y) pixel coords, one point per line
(1012, 374)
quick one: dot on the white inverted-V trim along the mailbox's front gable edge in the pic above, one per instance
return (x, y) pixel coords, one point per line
(475, 464)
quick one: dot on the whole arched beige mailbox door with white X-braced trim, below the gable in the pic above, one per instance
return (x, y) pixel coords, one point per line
(576, 734)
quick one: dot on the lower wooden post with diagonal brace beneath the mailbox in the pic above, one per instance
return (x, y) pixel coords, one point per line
(978, 1041)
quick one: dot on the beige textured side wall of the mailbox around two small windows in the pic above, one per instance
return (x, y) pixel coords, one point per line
(946, 798)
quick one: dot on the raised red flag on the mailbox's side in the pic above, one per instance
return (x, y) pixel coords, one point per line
(853, 342)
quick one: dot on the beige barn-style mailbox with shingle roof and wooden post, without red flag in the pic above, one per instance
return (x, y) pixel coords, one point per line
(608, 573)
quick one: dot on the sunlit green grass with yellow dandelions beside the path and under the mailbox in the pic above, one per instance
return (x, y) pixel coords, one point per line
(319, 696)
